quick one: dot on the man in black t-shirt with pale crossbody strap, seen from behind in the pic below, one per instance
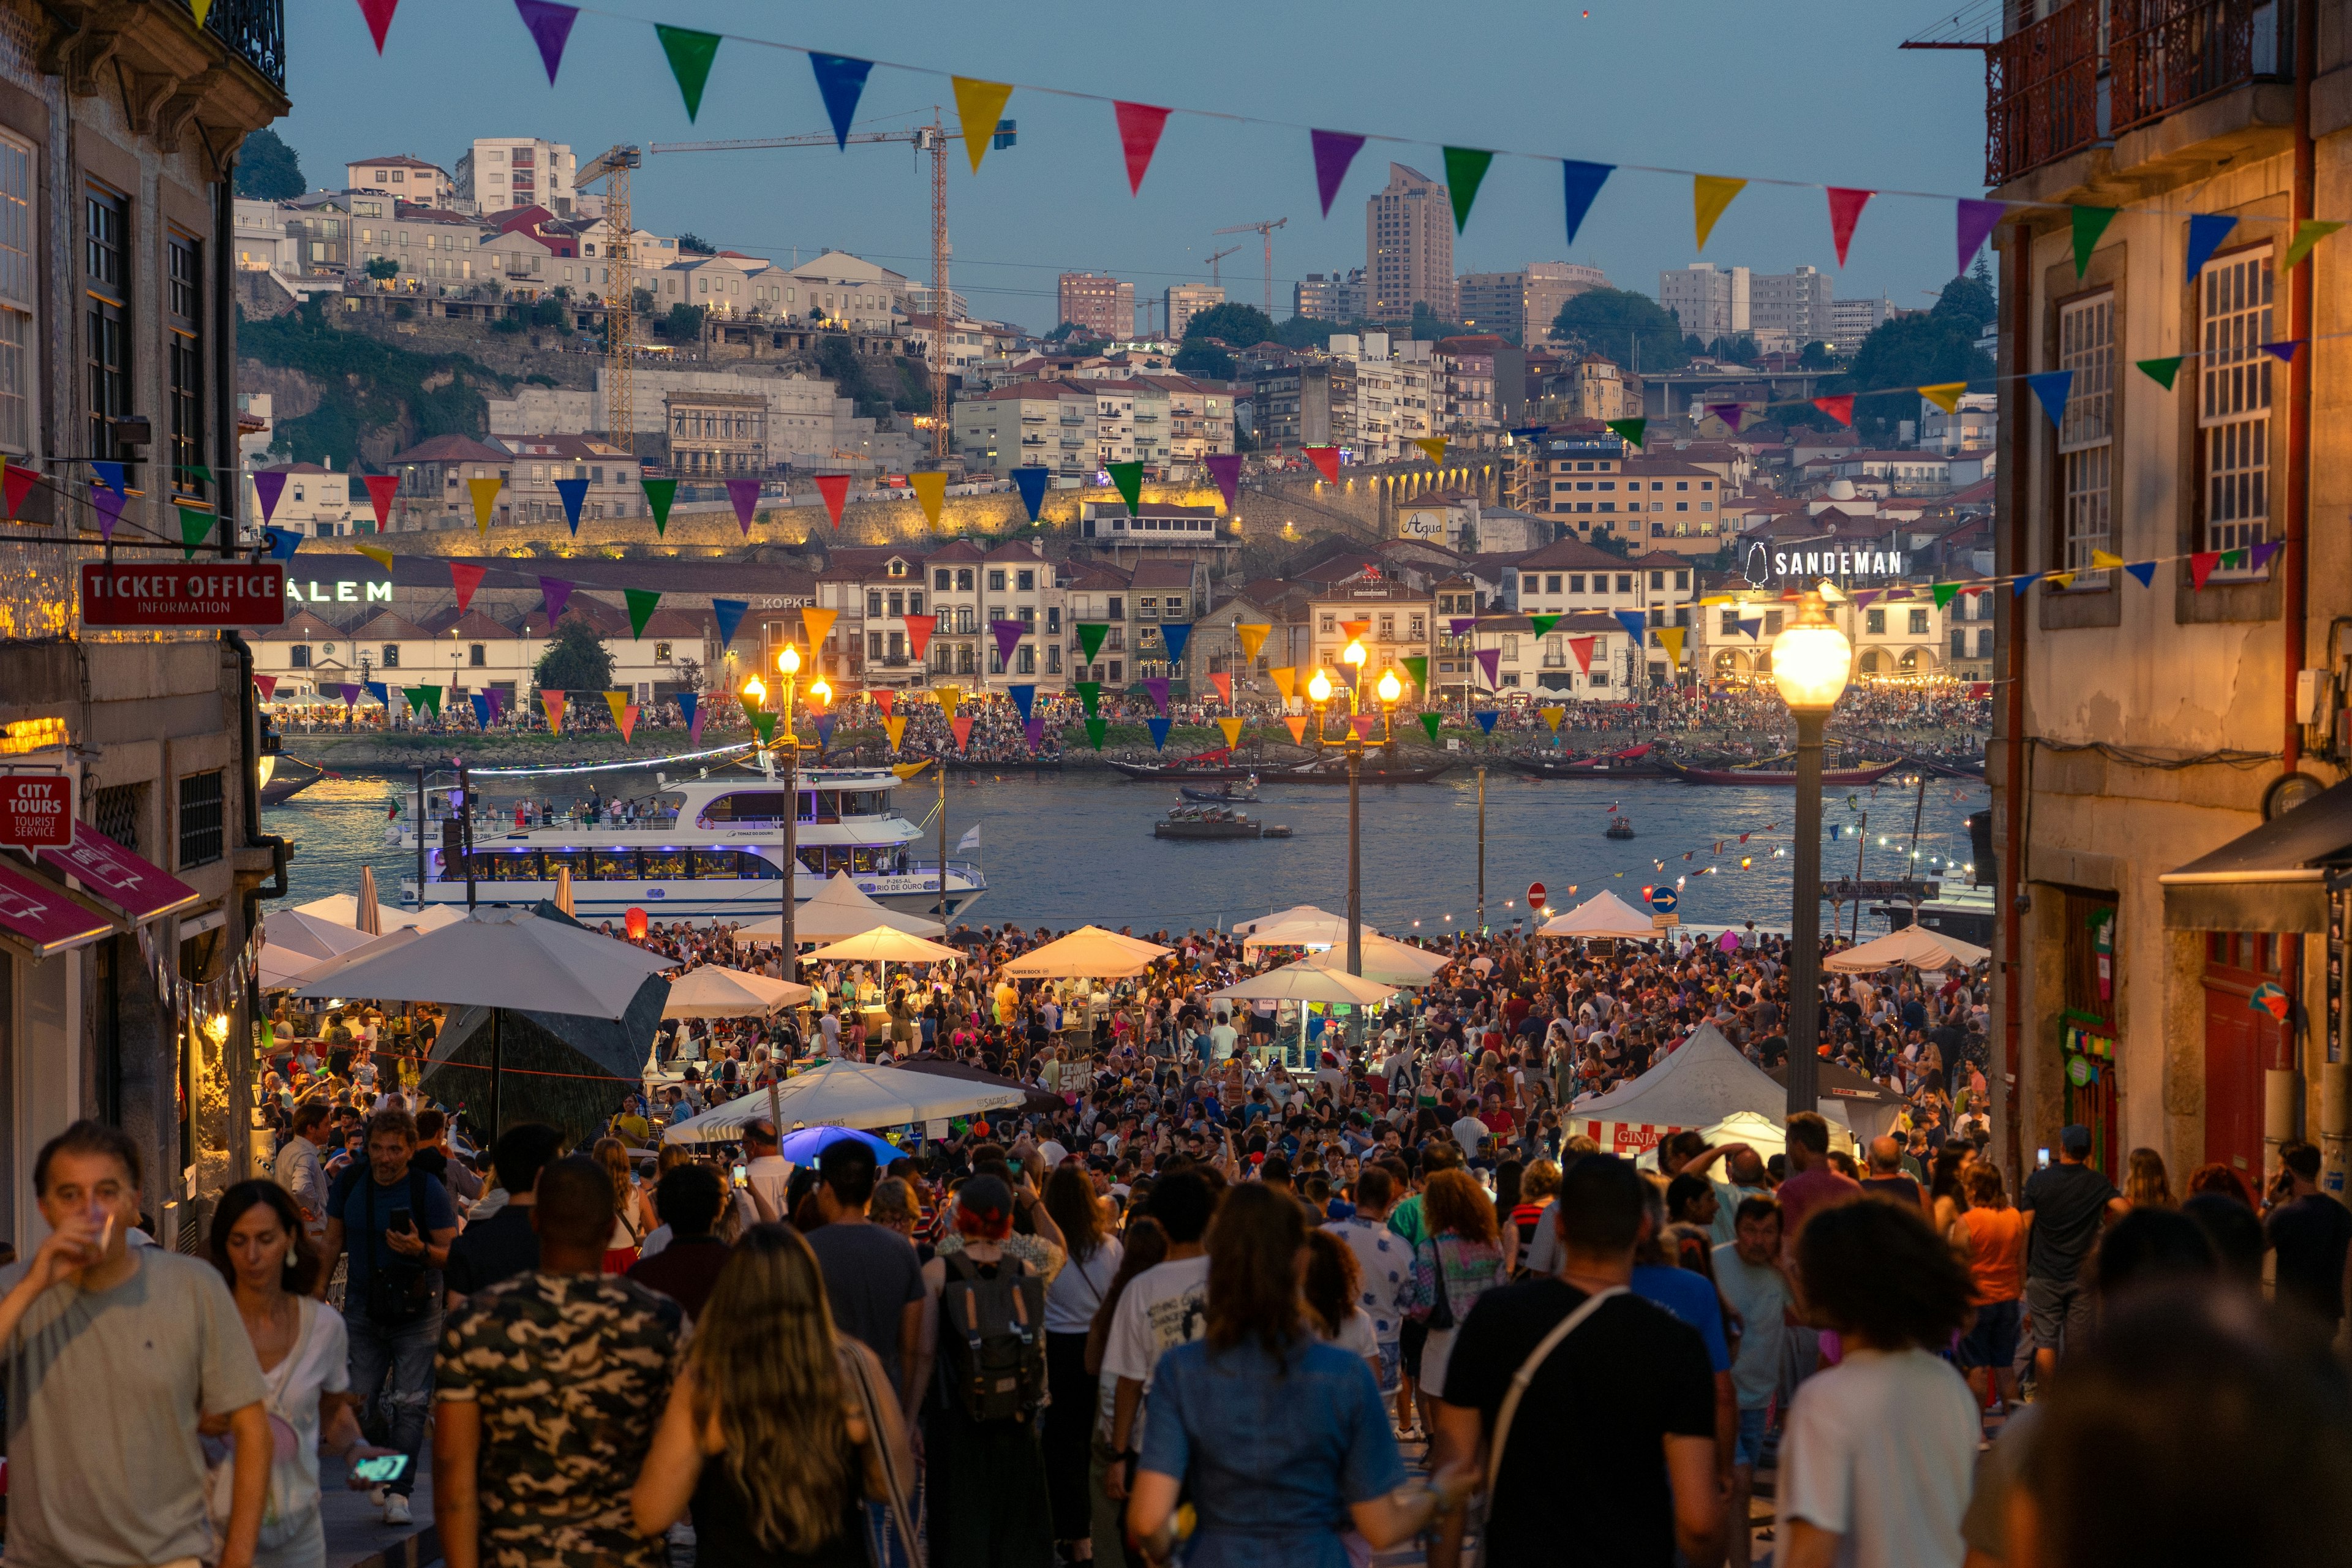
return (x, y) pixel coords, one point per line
(1610, 1456)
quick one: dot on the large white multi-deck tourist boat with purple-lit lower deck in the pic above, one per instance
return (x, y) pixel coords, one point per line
(702, 852)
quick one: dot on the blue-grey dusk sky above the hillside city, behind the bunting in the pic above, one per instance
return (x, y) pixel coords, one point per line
(1810, 93)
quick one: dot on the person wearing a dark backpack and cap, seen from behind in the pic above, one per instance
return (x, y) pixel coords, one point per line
(984, 1318)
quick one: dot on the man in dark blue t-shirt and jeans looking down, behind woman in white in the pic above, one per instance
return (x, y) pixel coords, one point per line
(399, 1226)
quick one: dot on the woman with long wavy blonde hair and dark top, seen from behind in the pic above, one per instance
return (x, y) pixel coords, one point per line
(780, 1428)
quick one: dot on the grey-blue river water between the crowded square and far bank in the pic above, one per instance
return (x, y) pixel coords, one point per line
(1069, 850)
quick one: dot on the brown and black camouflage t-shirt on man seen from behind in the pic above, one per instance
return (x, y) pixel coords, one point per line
(573, 1374)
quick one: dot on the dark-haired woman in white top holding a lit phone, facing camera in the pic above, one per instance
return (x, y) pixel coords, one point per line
(260, 1247)
